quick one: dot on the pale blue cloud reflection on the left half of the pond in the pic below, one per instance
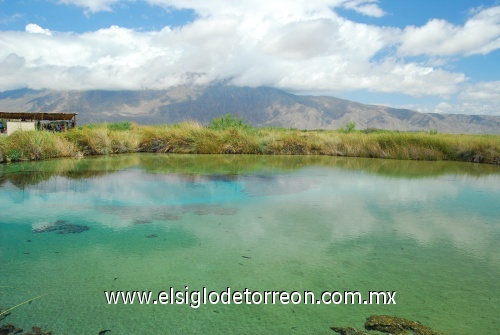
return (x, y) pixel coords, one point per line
(60, 197)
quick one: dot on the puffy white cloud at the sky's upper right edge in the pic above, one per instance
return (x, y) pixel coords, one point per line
(479, 35)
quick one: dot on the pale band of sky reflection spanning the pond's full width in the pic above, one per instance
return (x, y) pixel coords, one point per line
(462, 209)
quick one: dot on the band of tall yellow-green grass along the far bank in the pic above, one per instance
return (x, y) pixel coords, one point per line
(229, 135)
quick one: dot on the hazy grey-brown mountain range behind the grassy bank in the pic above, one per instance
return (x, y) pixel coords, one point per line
(260, 106)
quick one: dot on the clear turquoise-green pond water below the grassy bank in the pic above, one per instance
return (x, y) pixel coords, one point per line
(428, 230)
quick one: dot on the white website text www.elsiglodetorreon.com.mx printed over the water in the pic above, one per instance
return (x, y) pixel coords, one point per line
(196, 298)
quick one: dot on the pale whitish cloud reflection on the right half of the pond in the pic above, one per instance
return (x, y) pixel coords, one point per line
(348, 206)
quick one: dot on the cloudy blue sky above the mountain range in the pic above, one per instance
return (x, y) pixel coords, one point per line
(427, 55)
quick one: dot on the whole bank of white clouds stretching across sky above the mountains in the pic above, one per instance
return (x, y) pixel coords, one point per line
(299, 46)
